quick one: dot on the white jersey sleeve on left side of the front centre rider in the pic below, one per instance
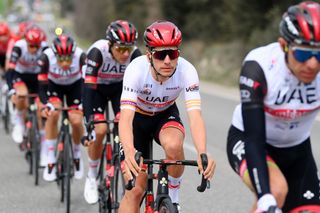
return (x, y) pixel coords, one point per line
(130, 88)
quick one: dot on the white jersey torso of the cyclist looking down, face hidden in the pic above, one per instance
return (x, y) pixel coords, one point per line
(60, 76)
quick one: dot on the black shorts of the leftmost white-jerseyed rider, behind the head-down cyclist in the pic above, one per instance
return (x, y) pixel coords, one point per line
(31, 81)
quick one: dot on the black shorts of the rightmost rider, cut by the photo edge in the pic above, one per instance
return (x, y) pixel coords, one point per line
(296, 163)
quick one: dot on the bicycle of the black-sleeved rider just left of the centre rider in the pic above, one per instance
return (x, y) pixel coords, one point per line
(111, 185)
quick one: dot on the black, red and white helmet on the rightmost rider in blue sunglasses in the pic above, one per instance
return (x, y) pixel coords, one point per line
(301, 24)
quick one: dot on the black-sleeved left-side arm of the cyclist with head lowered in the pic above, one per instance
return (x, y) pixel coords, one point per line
(43, 63)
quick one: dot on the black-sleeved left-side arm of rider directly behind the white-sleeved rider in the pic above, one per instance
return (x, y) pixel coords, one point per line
(94, 62)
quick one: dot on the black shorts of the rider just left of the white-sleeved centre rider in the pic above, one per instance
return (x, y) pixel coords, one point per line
(105, 93)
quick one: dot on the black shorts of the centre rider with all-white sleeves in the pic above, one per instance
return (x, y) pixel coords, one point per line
(147, 128)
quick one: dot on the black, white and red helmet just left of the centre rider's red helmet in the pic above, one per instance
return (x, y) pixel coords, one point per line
(122, 32)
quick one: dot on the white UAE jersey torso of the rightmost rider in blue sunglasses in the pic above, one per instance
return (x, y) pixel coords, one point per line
(290, 106)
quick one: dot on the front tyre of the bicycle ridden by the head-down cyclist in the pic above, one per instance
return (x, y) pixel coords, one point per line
(67, 173)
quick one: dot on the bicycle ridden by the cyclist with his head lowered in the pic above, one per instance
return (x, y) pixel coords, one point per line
(64, 156)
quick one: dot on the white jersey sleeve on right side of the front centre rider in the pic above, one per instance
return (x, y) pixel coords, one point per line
(191, 88)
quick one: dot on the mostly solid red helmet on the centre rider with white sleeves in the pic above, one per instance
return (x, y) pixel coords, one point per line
(162, 34)
